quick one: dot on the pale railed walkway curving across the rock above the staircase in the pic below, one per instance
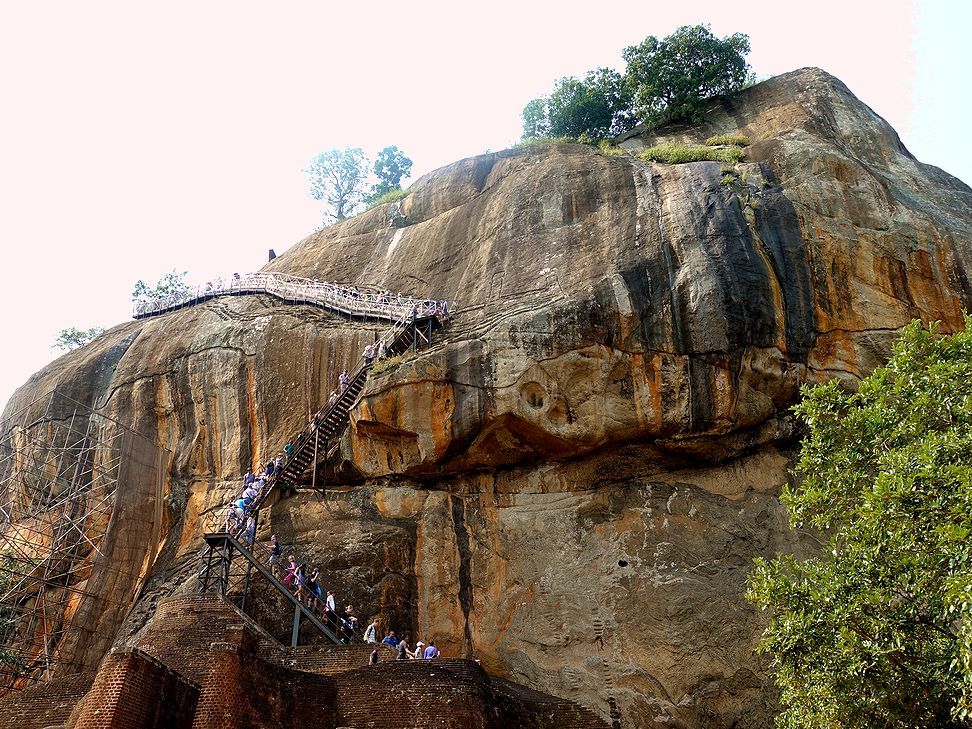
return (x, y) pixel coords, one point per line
(350, 300)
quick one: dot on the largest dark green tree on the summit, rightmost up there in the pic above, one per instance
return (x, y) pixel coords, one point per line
(672, 78)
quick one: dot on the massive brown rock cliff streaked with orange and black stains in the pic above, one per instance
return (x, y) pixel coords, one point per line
(571, 484)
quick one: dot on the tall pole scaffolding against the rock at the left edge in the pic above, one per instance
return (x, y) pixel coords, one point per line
(80, 515)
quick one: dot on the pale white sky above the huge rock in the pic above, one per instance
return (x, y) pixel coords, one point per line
(135, 138)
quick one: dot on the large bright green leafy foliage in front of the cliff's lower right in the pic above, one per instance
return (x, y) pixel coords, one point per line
(875, 631)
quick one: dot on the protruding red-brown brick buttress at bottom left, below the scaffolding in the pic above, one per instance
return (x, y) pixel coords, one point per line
(134, 690)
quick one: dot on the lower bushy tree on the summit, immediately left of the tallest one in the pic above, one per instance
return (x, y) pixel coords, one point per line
(593, 108)
